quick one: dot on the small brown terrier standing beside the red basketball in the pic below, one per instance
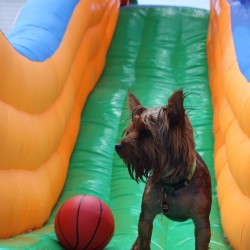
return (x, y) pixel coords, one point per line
(159, 147)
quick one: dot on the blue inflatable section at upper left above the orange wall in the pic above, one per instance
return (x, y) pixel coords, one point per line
(37, 37)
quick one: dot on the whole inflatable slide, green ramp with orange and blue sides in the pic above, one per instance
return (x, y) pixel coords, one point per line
(65, 71)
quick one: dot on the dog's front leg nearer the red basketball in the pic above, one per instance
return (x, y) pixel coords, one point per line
(150, 208)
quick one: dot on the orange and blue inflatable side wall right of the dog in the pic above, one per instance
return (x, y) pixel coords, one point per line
(228, 40)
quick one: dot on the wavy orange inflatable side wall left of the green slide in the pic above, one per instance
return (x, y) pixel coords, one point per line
(40, 107)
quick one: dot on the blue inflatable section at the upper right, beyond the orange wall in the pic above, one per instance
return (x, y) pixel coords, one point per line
(240, 21)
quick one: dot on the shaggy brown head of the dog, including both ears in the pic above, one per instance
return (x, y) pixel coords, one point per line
(159, 141)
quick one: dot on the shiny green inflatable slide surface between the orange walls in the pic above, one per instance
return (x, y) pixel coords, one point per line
(155, 50)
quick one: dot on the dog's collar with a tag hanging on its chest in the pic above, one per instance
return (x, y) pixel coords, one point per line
(175, 187)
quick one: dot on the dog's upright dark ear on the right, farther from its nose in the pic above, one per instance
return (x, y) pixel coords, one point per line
(176, 111)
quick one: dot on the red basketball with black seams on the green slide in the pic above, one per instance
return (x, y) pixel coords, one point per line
(84, 222)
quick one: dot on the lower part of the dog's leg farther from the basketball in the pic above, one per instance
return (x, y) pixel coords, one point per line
(202, 233)
